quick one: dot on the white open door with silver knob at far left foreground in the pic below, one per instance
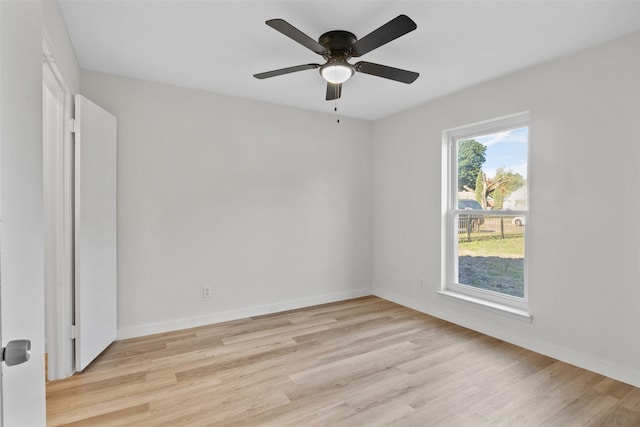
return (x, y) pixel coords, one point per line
(21, 240)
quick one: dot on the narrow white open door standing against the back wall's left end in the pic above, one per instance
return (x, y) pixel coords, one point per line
(95, 230)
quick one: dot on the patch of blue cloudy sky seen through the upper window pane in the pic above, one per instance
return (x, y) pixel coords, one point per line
(506, 149)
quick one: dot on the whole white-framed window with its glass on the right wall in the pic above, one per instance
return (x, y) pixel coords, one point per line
(486, 216)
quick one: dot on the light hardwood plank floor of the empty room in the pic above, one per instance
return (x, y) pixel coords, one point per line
(363, 362)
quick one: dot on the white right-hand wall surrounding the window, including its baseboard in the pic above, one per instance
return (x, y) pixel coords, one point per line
(584, 243)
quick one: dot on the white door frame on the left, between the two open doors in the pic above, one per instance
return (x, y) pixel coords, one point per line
(58, 164)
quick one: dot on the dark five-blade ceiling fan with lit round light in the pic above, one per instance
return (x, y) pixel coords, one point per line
(338, 46)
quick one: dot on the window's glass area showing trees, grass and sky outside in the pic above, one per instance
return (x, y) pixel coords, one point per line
(492, 177)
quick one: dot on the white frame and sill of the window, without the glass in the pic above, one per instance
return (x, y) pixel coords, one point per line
(494, 301)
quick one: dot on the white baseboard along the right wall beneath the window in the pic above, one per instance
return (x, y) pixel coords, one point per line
(565, 354)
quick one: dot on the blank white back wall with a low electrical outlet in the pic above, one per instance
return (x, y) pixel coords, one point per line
(270, 206)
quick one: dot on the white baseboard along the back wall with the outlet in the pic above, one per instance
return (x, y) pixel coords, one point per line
(224, 316)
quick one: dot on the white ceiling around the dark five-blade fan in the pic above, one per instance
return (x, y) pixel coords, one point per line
(219, 45)
